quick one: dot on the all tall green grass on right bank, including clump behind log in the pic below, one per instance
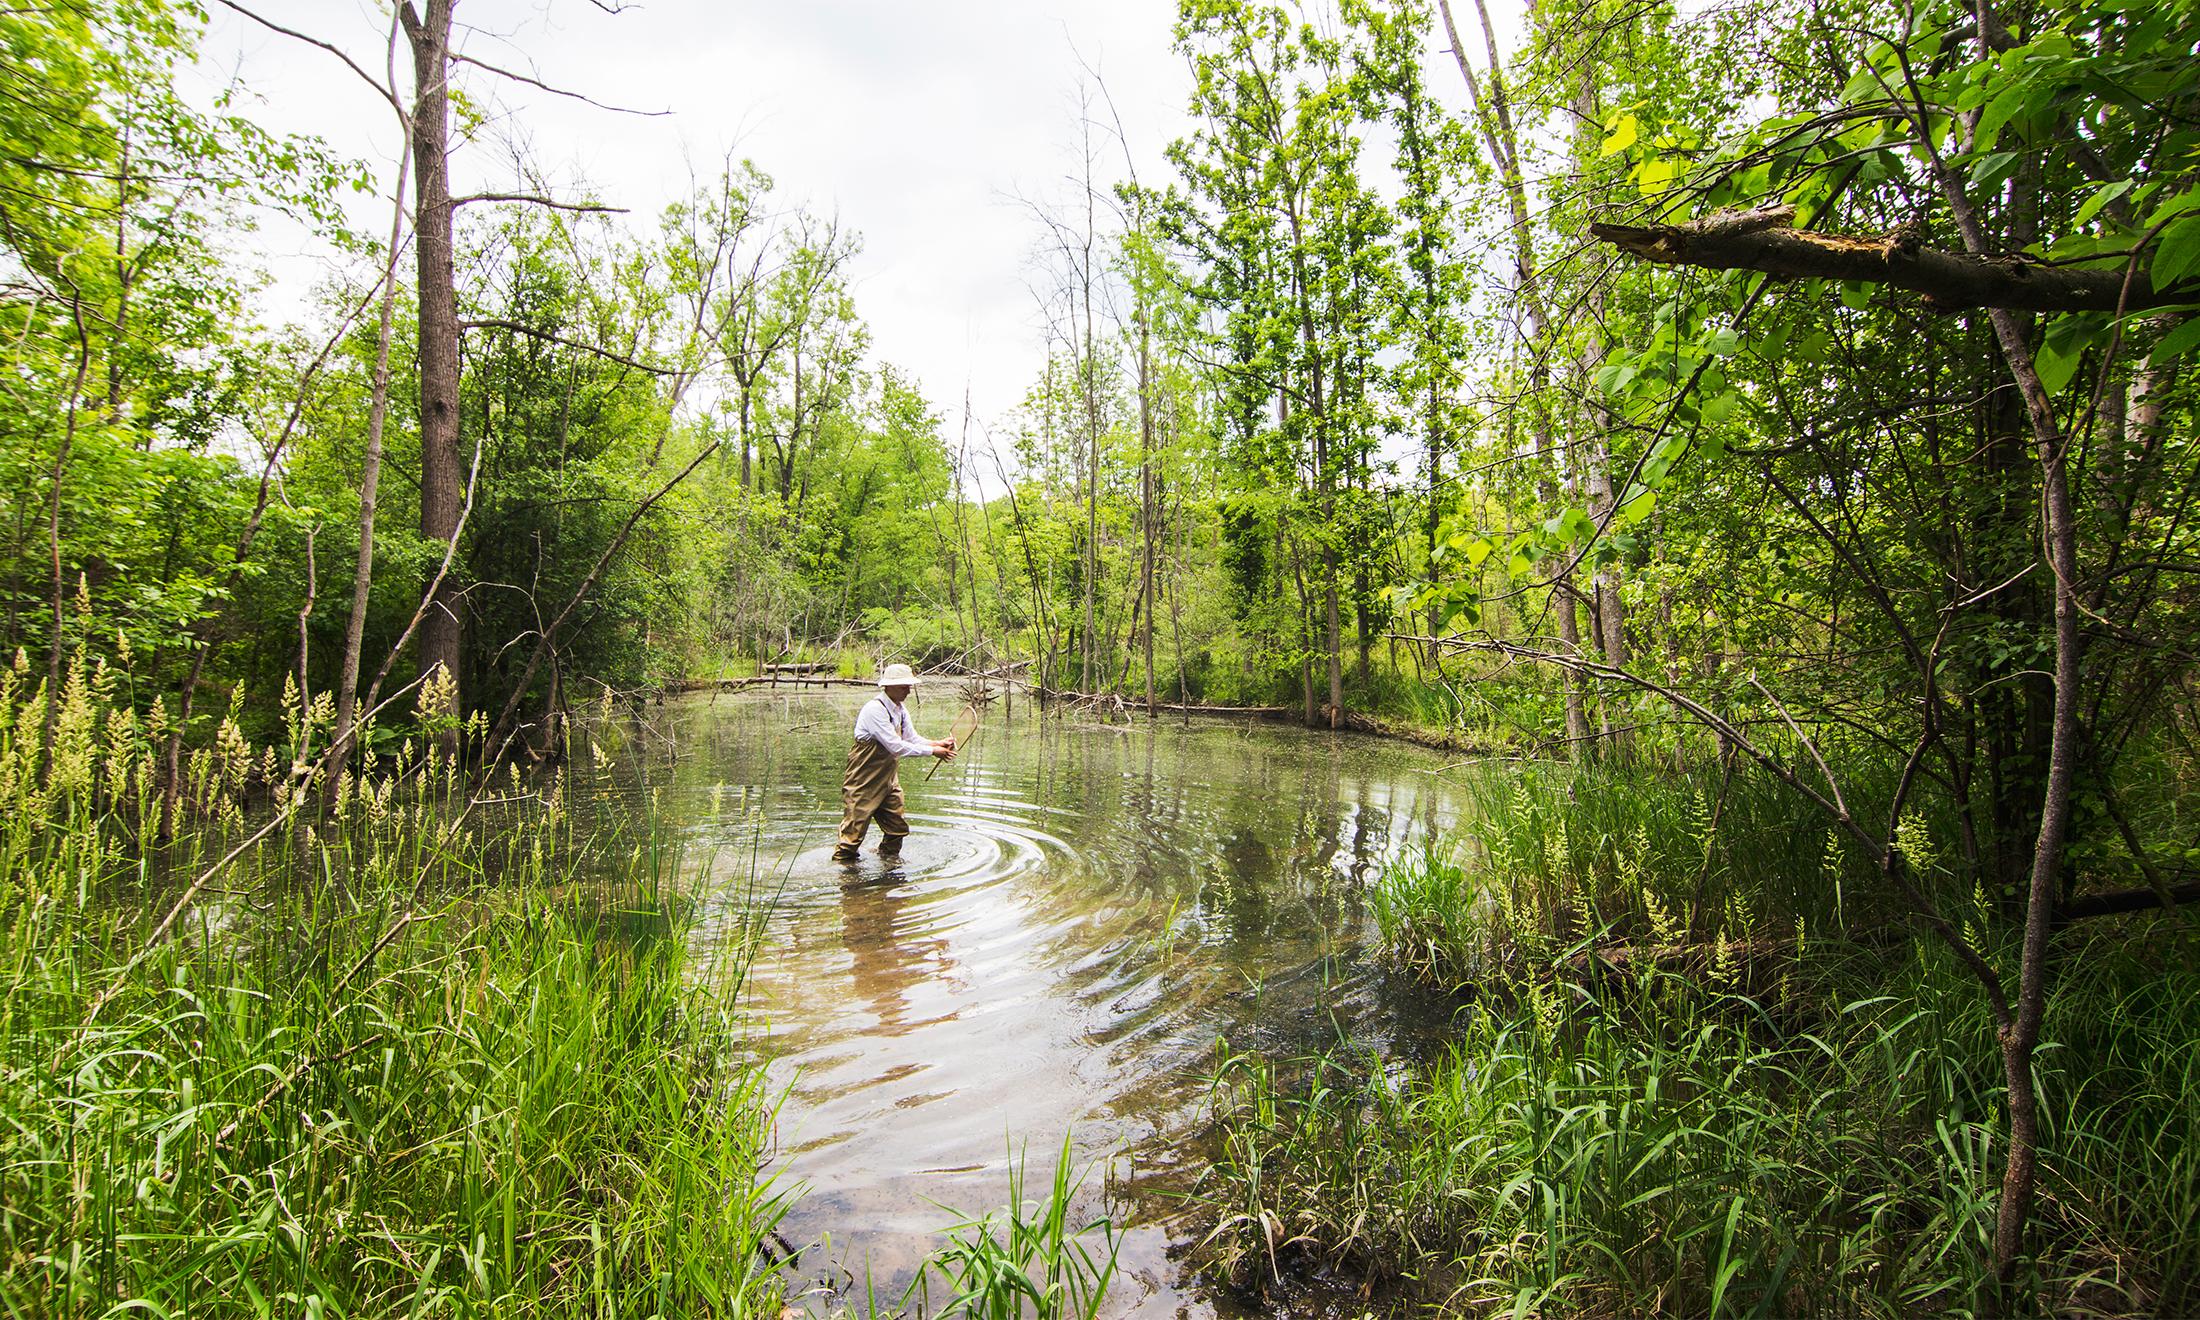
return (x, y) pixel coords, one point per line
(1757, 1114)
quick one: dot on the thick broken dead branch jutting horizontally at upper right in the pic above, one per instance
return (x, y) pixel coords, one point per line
(1765, 241)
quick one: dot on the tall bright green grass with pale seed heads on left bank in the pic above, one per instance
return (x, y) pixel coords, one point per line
(408, 1061)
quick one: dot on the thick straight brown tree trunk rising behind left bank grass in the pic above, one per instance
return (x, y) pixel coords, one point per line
(441, 474)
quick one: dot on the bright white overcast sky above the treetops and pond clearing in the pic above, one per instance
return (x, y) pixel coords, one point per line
(918, 124)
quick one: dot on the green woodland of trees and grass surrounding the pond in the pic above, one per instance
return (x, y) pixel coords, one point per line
(1765, 426)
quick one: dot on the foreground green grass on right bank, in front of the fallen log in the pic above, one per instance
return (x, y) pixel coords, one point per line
(1660, 1149)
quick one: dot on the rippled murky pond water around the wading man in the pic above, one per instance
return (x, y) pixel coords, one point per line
(1081, 912)
